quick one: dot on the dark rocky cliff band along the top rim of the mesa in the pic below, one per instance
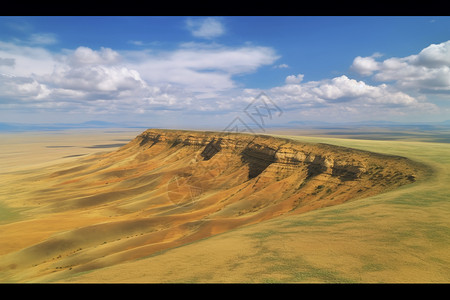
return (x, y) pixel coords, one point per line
(260, 151)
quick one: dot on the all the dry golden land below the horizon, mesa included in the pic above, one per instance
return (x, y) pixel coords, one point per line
(194, 206)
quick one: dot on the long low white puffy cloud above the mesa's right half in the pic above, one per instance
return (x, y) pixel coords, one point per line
(337, 99)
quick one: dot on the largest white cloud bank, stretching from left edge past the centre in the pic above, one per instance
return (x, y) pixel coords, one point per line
(104, 80)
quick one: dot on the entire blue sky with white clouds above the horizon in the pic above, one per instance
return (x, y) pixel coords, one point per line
(210, 71)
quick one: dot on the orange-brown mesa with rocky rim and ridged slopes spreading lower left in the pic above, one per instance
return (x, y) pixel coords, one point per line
(167, 189)
